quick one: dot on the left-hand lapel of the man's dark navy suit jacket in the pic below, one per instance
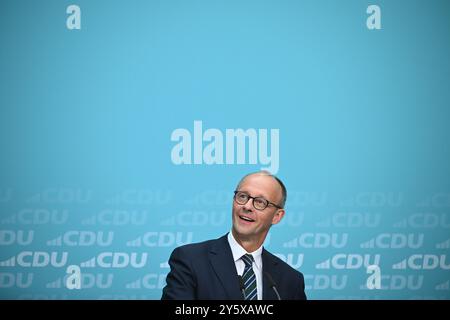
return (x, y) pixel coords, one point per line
(222, 262)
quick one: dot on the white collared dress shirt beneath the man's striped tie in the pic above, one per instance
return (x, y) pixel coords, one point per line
(238, 252)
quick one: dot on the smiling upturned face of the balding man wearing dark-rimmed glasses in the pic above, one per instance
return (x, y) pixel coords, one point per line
(250, 223)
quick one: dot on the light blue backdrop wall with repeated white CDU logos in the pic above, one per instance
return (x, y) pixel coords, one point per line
(89, 173)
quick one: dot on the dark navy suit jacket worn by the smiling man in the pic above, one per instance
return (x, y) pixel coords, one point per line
(207, 271)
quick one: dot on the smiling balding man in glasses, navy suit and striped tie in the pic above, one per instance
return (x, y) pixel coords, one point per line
(236, 266)
